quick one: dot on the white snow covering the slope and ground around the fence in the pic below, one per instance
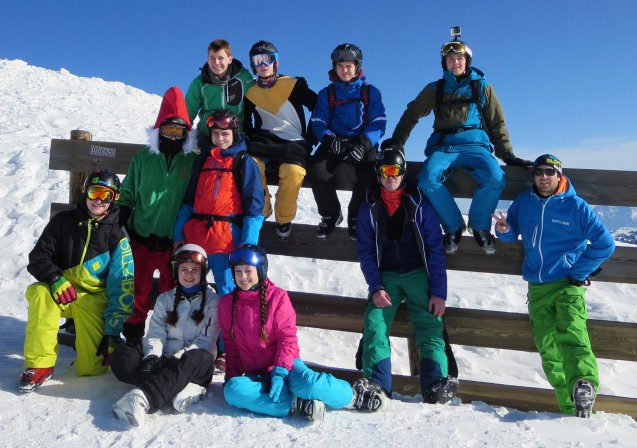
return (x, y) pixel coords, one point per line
(39, 104)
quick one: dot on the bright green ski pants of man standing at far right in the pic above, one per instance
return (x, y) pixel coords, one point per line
(558, 317)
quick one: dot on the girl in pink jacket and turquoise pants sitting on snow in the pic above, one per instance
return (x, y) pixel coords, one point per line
(264, 372)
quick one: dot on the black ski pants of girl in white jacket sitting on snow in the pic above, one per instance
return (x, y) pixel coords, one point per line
(162, 384)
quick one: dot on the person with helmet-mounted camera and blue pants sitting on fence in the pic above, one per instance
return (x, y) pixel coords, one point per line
(468, 123)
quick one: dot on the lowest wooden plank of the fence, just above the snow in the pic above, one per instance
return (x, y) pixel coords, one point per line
(517, 397)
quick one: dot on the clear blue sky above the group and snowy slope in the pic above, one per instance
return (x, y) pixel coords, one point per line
(563, 70)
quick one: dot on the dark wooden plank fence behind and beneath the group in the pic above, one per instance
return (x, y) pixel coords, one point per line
(479, 328)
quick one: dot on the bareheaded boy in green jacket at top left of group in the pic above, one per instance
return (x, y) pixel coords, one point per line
(222, 84)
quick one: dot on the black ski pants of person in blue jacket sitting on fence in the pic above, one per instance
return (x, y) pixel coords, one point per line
(330, 174)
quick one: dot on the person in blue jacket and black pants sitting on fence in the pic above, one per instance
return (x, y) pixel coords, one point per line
(348, 120)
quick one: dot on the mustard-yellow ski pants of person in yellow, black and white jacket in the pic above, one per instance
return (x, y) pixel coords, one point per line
(290, 179)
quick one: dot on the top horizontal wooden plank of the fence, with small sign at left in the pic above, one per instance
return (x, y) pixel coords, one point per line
(601, 187)
